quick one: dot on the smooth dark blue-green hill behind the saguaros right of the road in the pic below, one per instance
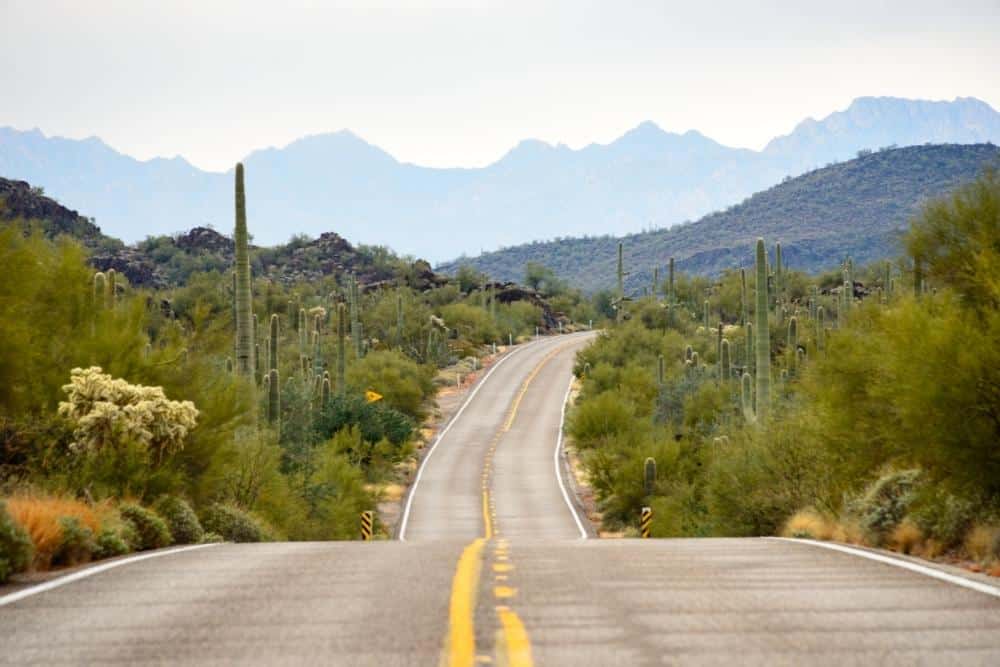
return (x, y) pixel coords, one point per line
(857, 207)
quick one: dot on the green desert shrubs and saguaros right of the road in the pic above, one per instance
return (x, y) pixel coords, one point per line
(860, 404)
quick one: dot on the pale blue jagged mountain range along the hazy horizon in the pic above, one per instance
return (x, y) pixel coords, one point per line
(647, 178)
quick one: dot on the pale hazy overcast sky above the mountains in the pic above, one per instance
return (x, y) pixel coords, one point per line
(448, 84)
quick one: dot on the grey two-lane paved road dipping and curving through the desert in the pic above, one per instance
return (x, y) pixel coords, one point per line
(492, 570)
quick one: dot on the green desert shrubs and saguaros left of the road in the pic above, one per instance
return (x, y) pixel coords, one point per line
(228, 405)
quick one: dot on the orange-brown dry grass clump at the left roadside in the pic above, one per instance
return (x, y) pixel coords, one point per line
(39, 515)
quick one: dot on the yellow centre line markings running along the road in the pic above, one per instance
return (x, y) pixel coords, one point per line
(460, 646)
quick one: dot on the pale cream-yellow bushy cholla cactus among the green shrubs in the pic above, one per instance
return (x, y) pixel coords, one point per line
(107, 412)
